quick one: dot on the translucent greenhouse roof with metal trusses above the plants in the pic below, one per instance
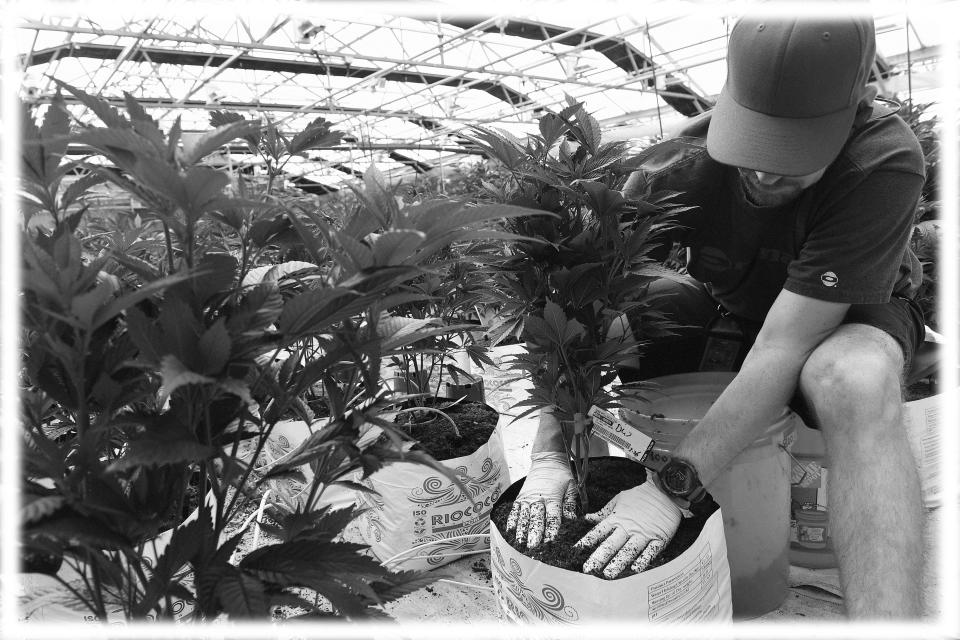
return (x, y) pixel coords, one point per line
(404, 83)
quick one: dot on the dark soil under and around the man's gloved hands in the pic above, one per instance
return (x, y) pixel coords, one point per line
(607, 477)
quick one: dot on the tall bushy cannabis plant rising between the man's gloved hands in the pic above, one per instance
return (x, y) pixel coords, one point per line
(576, 272)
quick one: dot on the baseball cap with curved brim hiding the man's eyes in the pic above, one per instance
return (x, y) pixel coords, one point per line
(792, 90)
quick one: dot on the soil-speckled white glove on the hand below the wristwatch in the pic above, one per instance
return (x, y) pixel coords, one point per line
(634, 527)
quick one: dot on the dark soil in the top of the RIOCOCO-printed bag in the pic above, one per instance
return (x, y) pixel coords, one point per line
(475, 421)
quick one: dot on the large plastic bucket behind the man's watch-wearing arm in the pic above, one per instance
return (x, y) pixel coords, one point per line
(753, 491)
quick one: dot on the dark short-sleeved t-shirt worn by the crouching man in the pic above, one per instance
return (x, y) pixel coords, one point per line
(844, 239)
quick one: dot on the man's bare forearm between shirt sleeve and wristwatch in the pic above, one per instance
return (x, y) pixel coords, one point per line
(793, 328)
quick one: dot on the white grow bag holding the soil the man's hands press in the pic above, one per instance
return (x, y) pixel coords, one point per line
(694, 586)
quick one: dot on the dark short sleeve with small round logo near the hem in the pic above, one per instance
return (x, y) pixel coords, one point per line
(855, 244)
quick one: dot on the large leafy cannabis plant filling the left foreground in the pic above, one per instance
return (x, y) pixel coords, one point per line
(150, 360)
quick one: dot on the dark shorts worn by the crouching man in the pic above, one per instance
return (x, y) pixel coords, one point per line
(687, 302)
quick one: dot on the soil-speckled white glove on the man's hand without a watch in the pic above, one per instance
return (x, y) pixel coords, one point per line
(548, 494)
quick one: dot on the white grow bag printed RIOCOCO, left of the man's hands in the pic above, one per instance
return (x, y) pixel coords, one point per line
(420, 520)
